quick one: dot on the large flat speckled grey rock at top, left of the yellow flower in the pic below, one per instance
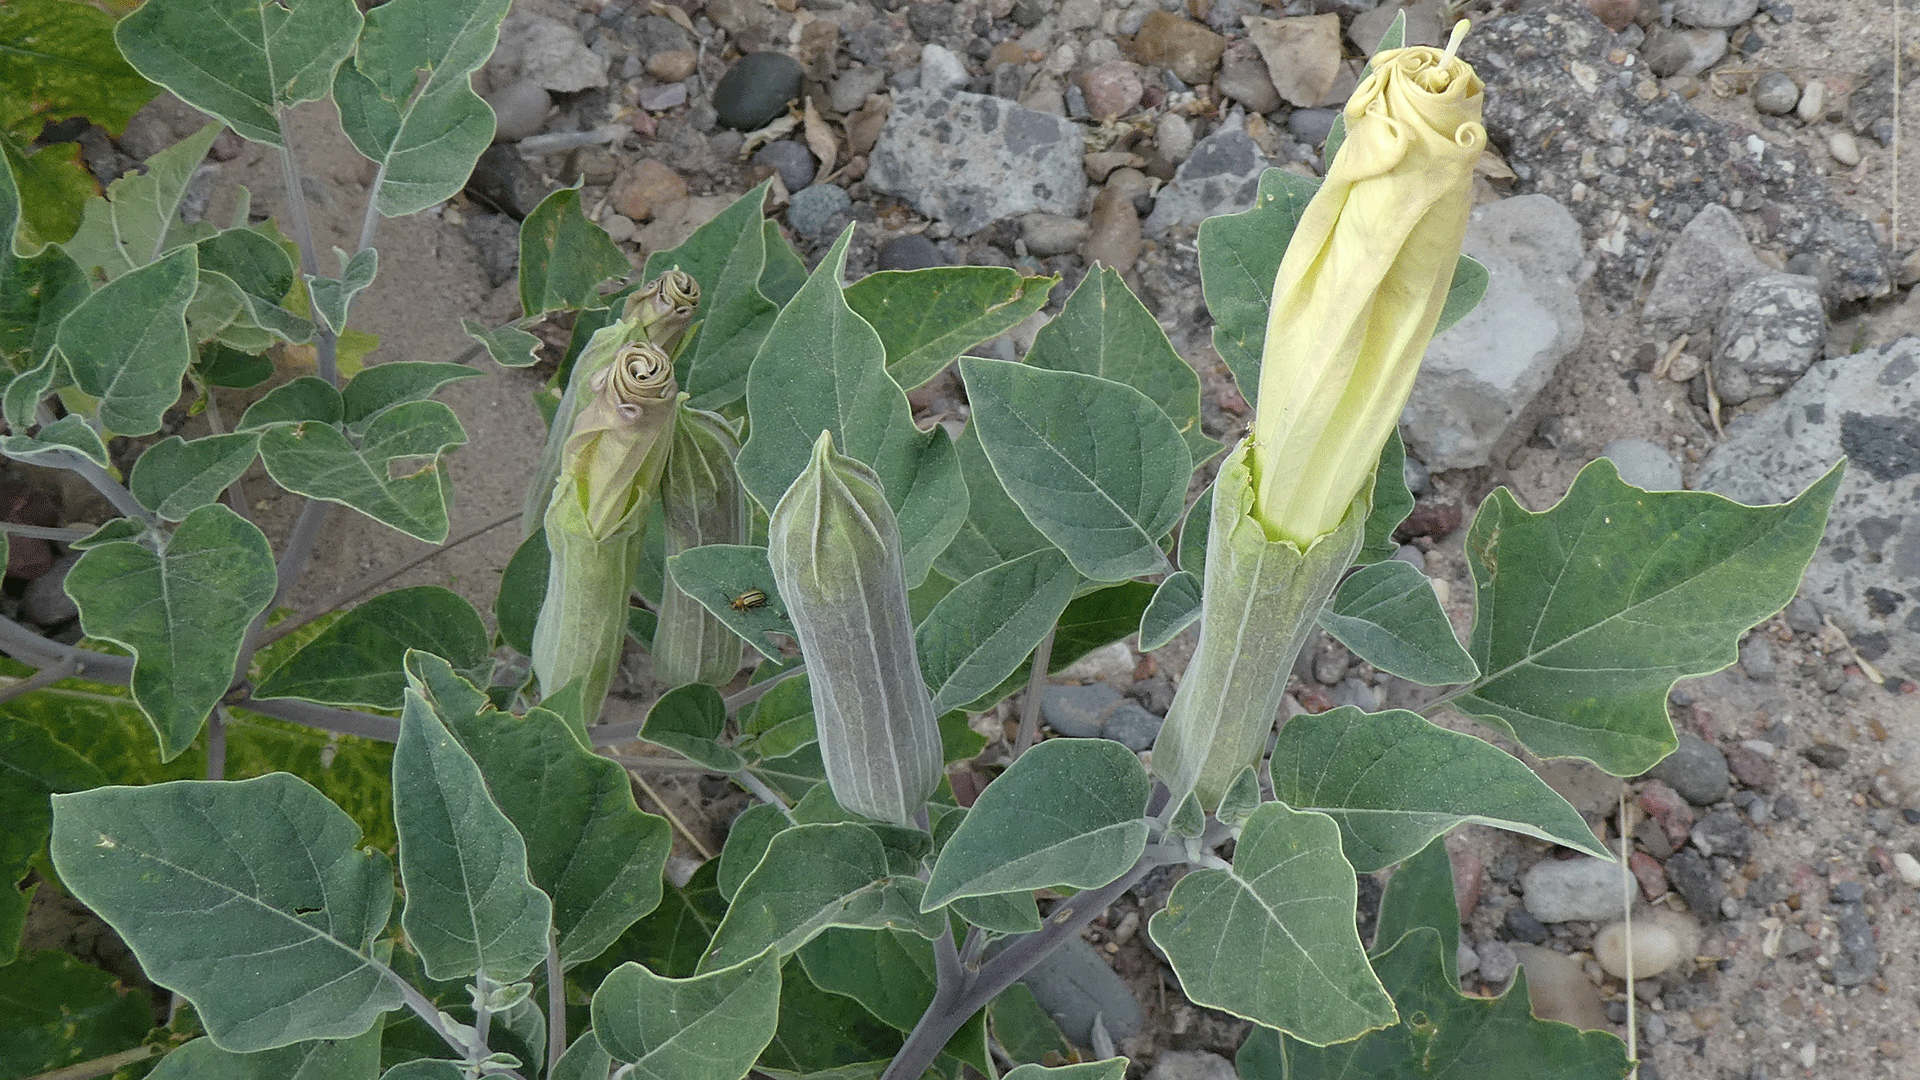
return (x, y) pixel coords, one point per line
(972, 160)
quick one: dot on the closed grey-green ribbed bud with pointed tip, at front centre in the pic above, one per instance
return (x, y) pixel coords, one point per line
(836, 556)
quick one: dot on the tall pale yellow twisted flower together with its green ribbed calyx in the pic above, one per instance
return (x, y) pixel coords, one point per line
(1355, 305)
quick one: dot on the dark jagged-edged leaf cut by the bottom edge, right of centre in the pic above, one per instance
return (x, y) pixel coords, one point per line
(1443, 1035)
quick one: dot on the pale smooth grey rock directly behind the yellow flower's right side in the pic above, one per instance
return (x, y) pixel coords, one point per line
(1481, 374)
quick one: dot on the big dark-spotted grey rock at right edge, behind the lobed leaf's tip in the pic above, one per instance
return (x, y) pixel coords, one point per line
(1867, 570)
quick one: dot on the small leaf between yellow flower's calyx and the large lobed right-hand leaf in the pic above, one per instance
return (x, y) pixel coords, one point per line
(1391, 618)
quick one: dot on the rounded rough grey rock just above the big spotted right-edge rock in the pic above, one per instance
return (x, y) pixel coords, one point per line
(1771, 331)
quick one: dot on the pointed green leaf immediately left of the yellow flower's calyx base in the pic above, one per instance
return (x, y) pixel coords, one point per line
(1070, 812)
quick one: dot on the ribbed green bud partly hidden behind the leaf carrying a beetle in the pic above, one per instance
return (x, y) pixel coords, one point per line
(704, 504)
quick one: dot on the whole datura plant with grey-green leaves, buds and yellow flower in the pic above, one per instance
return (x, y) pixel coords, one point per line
(840, 610)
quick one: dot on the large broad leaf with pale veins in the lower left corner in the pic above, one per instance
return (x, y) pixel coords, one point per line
(251, 898)
